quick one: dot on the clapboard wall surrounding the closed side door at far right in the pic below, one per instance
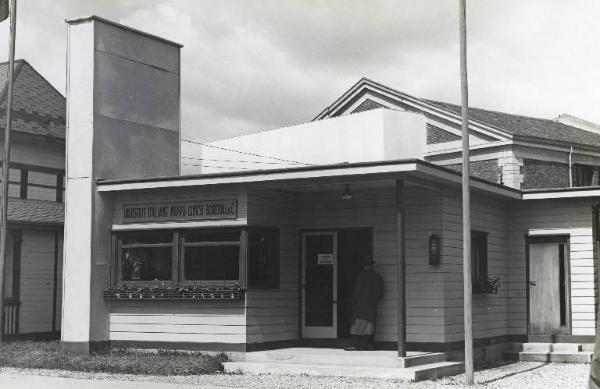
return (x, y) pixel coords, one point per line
(572, 217)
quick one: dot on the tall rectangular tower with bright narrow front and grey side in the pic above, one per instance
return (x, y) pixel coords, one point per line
(123, 121)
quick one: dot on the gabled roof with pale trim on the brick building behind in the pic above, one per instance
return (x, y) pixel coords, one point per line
(512, 125)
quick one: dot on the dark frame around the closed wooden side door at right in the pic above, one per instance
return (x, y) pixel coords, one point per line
(559, 238)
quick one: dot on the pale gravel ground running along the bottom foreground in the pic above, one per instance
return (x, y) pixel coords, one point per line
(526, 375)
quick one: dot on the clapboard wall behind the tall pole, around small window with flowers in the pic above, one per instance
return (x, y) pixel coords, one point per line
(490, 312)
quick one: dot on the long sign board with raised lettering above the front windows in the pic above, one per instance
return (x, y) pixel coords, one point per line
(180, 211)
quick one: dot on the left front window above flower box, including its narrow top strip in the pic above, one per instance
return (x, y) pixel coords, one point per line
(146, 257)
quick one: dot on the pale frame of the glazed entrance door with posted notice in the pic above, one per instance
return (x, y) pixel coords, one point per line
(327, 332)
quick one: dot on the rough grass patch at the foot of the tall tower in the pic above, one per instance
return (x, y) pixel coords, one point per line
(48, 355)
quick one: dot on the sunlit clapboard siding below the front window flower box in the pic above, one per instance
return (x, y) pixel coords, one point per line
(198, 321)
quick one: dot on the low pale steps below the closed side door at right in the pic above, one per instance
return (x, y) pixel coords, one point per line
(552, 352)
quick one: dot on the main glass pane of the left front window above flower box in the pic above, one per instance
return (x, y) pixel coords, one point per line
(146, 264)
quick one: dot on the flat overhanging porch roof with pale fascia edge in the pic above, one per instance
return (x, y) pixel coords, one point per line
(396, 169)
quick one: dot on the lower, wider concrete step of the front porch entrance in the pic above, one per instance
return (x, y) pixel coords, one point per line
(422, 372)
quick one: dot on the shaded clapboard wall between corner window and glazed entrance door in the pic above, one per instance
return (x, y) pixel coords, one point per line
(272, 314)
